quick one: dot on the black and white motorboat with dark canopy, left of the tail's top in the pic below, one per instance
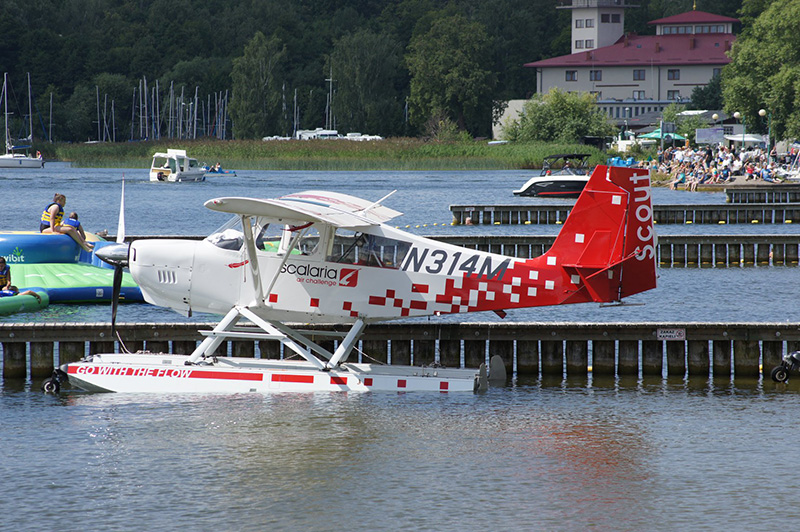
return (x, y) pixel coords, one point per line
(562, 176)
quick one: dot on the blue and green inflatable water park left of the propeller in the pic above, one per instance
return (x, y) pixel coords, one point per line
(58, 271)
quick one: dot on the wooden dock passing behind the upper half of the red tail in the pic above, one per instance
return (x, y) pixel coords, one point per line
(728, 213)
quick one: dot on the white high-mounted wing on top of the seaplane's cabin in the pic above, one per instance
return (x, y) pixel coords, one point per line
(339, 210)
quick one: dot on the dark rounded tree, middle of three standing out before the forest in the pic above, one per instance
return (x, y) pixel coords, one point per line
(367, 68)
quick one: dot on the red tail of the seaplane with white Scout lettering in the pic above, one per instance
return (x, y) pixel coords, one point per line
(608, 240)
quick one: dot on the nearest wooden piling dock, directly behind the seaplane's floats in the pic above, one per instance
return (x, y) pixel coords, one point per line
(529, 349)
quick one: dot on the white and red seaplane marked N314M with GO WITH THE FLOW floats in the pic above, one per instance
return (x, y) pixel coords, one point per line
(319, 257)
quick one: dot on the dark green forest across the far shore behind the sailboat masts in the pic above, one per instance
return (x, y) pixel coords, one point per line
(393, 68)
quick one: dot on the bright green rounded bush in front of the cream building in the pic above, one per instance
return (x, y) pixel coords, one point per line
(559, 116)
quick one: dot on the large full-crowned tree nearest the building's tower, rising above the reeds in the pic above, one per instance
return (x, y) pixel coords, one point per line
(449, 74)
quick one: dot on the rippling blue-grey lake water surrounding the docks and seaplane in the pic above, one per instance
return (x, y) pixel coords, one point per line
(577, 454)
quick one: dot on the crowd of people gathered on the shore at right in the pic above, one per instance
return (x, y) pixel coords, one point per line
(690, 167)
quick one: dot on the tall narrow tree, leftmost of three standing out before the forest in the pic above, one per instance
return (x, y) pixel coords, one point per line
(256, 106)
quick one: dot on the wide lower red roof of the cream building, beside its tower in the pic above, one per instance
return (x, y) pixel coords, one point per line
(651, 50)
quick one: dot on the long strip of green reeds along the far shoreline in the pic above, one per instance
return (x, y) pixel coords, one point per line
(389, 154)
